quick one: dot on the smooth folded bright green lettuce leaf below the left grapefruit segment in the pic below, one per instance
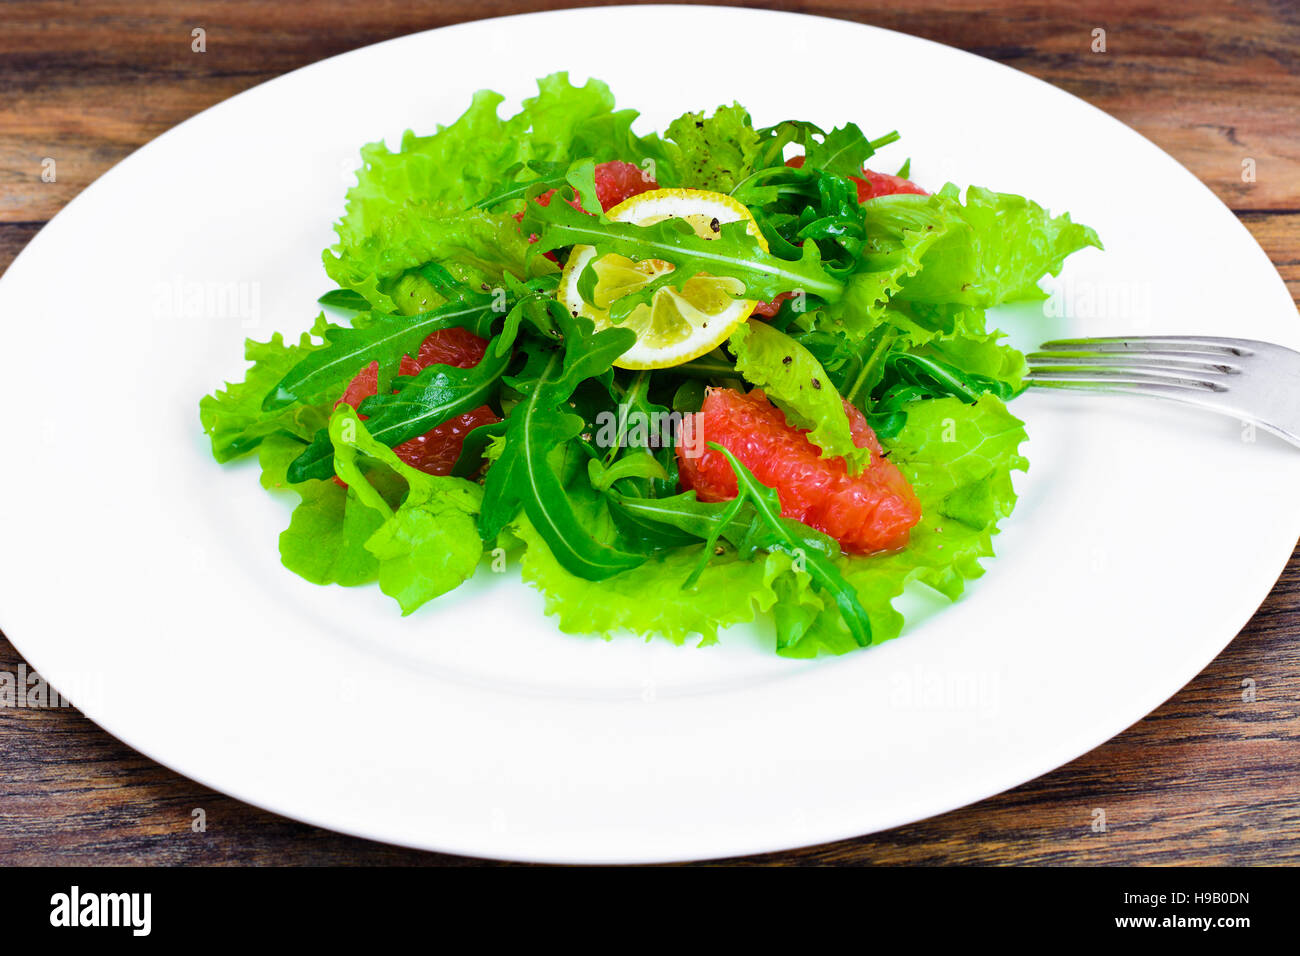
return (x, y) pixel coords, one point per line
(430, 544)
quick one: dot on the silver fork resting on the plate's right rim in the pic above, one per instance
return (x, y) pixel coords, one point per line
(1253, 382)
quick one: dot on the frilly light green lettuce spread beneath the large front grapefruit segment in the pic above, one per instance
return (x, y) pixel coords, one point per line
(959, 458)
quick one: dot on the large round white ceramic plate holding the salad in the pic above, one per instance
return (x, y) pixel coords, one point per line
(144, 581)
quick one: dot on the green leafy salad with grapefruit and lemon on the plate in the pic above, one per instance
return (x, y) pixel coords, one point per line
(682, 382)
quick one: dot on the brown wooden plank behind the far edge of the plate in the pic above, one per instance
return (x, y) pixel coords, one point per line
(1215, 84)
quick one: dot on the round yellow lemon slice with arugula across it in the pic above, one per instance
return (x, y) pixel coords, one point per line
(678, 325)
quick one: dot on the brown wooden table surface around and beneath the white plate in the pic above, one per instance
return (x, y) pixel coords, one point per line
(1207, 778)
